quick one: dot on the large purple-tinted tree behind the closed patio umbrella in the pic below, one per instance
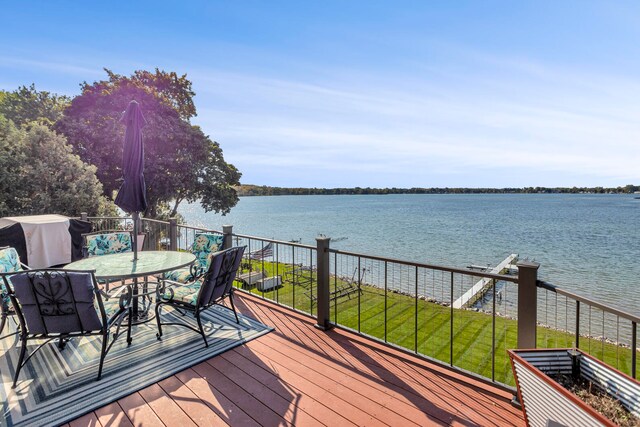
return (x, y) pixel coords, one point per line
(181, 162)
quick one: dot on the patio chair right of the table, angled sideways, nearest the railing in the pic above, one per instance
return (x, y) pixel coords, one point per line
(195, 297)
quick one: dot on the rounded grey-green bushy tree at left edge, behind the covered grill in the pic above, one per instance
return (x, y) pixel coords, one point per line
(42, 175)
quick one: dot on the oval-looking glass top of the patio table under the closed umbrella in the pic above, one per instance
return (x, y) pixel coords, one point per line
(121, 266)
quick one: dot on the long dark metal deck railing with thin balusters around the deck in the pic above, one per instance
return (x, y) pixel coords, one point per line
(411, 305)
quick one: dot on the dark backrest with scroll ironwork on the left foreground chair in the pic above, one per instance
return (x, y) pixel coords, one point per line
(56, 301)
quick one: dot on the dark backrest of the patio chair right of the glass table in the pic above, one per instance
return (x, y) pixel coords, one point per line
(218, 280)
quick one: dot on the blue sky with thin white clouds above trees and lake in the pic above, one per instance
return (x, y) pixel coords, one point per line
(371, 93)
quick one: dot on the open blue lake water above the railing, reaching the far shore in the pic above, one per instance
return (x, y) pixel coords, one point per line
(585, 243)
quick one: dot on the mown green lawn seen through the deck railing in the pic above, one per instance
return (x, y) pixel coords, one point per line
(472, 331)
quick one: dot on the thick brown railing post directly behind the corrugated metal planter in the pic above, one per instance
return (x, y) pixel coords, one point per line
(527, 303)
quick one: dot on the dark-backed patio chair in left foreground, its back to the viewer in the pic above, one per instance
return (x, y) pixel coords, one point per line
(61, 304)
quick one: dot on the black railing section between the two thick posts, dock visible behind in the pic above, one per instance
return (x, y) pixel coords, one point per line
(420, 307)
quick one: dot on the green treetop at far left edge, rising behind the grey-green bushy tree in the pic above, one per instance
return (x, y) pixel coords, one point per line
(26, 105)
